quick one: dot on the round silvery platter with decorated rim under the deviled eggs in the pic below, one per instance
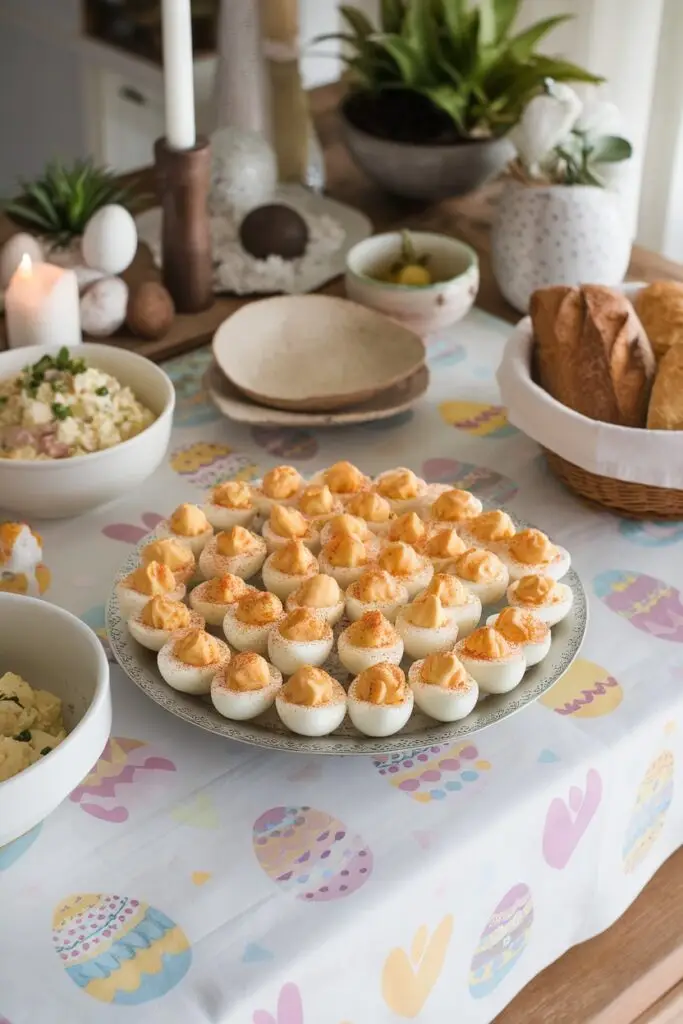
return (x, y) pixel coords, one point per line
(268, 732)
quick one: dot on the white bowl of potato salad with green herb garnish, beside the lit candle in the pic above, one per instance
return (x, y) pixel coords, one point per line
(78, 428)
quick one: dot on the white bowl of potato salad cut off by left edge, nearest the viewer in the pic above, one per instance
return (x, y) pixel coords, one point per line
(56, 710)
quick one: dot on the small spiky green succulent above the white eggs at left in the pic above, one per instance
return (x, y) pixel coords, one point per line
(60, 204)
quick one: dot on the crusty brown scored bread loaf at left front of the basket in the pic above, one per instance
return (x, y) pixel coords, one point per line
(593, 354)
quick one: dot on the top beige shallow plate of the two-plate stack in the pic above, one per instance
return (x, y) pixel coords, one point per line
(315, 354)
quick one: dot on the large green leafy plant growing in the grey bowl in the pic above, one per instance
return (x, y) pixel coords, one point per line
(463, 59)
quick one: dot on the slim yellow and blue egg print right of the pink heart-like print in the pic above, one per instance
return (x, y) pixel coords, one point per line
(648, 819)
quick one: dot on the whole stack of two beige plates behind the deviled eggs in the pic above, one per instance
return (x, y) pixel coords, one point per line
(315, 361)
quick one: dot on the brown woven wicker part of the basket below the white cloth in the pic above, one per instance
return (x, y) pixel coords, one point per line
(635, 501)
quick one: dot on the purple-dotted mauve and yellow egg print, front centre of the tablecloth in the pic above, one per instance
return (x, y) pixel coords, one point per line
(311, 855)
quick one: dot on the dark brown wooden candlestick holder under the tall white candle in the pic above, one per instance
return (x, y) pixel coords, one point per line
(184, 179)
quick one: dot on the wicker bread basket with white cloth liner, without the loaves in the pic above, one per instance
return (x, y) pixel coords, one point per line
(635, 474)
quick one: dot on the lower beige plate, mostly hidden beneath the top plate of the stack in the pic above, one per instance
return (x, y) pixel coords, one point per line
(235, 406)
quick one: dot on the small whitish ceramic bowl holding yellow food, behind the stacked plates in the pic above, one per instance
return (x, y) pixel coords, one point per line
(454, 267)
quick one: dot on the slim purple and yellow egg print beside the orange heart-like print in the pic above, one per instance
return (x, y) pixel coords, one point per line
(502, 943)
